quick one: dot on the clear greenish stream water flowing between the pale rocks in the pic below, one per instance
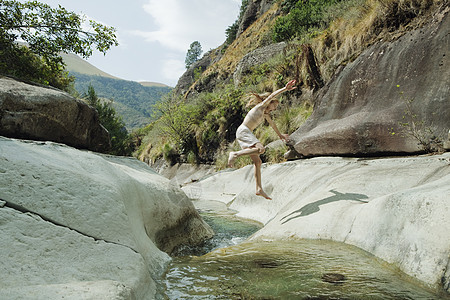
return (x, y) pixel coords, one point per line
(228, 267)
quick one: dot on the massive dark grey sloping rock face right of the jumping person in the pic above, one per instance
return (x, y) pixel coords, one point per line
(405, 81)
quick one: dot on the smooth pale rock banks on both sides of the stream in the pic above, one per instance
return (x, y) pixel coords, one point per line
(77, 223)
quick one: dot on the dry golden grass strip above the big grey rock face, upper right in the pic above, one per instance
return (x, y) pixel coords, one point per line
(365, 23)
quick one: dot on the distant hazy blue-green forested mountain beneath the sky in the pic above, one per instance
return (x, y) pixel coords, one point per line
(132, 100)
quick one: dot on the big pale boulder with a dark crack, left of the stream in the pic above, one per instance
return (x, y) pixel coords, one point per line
(80, 225)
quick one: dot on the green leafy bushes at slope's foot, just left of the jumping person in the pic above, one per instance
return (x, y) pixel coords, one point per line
(194, 131)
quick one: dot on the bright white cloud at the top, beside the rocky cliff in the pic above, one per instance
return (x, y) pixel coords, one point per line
(180, 22)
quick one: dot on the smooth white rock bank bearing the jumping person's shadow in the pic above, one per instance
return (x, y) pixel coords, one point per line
(395, 208)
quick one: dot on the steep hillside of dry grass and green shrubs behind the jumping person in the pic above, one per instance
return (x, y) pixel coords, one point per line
(321, 36)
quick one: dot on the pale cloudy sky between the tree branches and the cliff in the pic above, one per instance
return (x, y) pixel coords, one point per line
(154, 35)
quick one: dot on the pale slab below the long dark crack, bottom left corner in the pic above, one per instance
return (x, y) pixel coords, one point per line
(40, 259)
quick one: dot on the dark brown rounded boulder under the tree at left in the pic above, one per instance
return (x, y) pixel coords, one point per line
(47, 114)
